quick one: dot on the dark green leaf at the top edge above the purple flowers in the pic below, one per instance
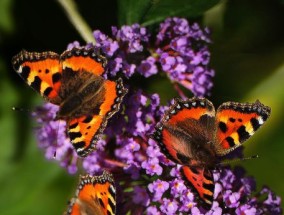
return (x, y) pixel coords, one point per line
(148, 12)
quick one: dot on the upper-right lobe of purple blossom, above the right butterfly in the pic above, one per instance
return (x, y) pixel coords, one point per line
(184, 55)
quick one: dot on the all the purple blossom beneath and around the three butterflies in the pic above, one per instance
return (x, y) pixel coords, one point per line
(149, 182)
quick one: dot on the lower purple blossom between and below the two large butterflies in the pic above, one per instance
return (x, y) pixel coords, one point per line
(149, 181)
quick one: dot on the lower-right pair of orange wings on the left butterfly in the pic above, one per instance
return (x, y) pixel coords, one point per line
(85, 131)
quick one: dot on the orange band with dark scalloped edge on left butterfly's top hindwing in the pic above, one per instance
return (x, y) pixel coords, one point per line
(84, 60)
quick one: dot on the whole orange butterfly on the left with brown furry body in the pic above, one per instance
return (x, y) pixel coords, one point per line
(74, 82)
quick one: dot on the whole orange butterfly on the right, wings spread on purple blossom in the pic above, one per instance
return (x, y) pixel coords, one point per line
(192, 134)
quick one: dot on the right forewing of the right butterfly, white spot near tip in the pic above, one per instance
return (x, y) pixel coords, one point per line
(236, 122)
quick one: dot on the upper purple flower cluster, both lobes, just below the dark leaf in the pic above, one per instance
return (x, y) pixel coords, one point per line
(180, 50)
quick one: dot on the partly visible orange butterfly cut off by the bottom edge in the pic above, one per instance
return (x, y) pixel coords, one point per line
(95, 195)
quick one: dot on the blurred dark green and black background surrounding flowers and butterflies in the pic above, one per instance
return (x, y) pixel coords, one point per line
(247, 55)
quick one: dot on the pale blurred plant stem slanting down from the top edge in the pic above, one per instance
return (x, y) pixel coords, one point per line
(77, 20)
